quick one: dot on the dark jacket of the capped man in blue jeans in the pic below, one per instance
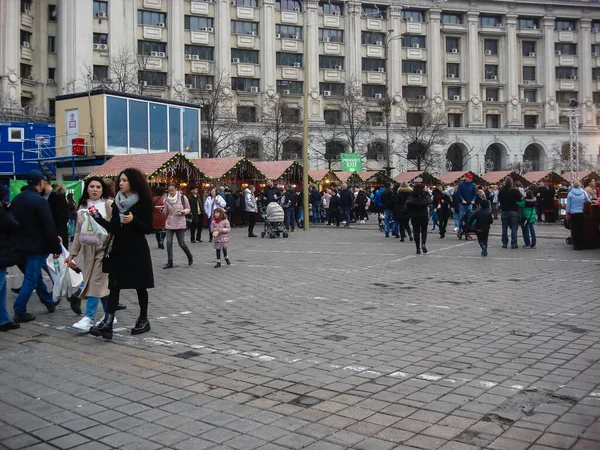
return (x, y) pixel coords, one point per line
(37, 234)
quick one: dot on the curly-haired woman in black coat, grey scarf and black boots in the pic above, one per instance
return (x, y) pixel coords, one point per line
(130, 263)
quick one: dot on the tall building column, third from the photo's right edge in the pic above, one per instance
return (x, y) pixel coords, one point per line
(513, 106)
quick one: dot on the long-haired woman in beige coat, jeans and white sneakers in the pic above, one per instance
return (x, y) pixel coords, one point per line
(89, 257)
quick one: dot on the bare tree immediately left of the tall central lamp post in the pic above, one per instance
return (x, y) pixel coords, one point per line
(281, 124)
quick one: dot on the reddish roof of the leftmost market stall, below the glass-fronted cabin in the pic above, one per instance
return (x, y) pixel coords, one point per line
(150, 164)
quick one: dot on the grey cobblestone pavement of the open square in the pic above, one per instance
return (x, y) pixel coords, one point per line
(333, 339)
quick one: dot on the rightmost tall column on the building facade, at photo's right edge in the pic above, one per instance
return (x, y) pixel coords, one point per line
(585, 75)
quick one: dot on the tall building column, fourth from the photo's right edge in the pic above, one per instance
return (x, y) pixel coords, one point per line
(475, 109)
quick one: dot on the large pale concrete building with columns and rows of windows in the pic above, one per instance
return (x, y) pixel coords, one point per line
(502, 71)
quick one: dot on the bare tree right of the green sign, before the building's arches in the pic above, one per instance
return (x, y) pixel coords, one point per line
(423, 135)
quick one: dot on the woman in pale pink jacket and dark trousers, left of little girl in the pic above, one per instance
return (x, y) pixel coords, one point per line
(176, 208)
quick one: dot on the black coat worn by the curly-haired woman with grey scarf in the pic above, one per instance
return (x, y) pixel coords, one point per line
(130, 254)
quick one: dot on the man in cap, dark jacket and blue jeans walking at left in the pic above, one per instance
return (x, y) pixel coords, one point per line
(36, 238)
